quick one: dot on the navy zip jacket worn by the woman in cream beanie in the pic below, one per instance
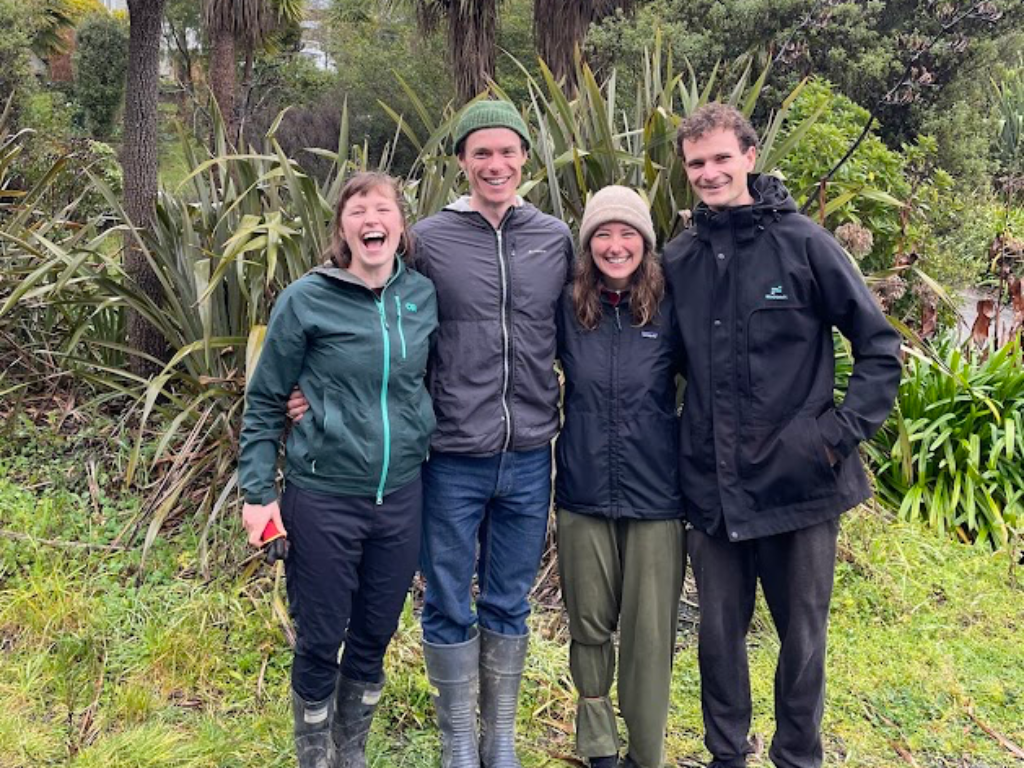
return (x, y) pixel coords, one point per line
(617, 455)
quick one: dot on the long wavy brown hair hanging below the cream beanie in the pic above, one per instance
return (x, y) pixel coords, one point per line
(647, 289)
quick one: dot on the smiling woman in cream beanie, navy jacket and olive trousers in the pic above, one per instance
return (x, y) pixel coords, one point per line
(621, 540)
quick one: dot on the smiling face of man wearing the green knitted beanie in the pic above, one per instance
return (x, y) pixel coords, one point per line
(493, 160)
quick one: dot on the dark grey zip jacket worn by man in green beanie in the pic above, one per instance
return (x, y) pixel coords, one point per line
(492, 375)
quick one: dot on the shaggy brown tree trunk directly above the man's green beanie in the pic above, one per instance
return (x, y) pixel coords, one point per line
(473, 30)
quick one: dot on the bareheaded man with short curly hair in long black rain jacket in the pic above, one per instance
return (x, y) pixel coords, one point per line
(769, 458)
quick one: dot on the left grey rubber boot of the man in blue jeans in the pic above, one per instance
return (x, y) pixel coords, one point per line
(453, 671)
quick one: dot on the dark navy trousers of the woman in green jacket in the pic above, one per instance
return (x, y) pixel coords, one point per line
(350, 567)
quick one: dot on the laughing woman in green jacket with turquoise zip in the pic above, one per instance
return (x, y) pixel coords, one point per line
(355, 335)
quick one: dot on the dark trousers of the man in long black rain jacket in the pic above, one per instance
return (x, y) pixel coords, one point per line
(796, 573)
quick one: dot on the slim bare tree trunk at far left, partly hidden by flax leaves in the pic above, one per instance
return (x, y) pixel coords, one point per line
(139, 159)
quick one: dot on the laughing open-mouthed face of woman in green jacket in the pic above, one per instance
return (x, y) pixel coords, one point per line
(372, 226)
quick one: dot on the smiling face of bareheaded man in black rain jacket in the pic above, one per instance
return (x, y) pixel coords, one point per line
(717, 168)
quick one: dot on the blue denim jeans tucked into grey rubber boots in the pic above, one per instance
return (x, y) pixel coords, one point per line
(502, 503)
